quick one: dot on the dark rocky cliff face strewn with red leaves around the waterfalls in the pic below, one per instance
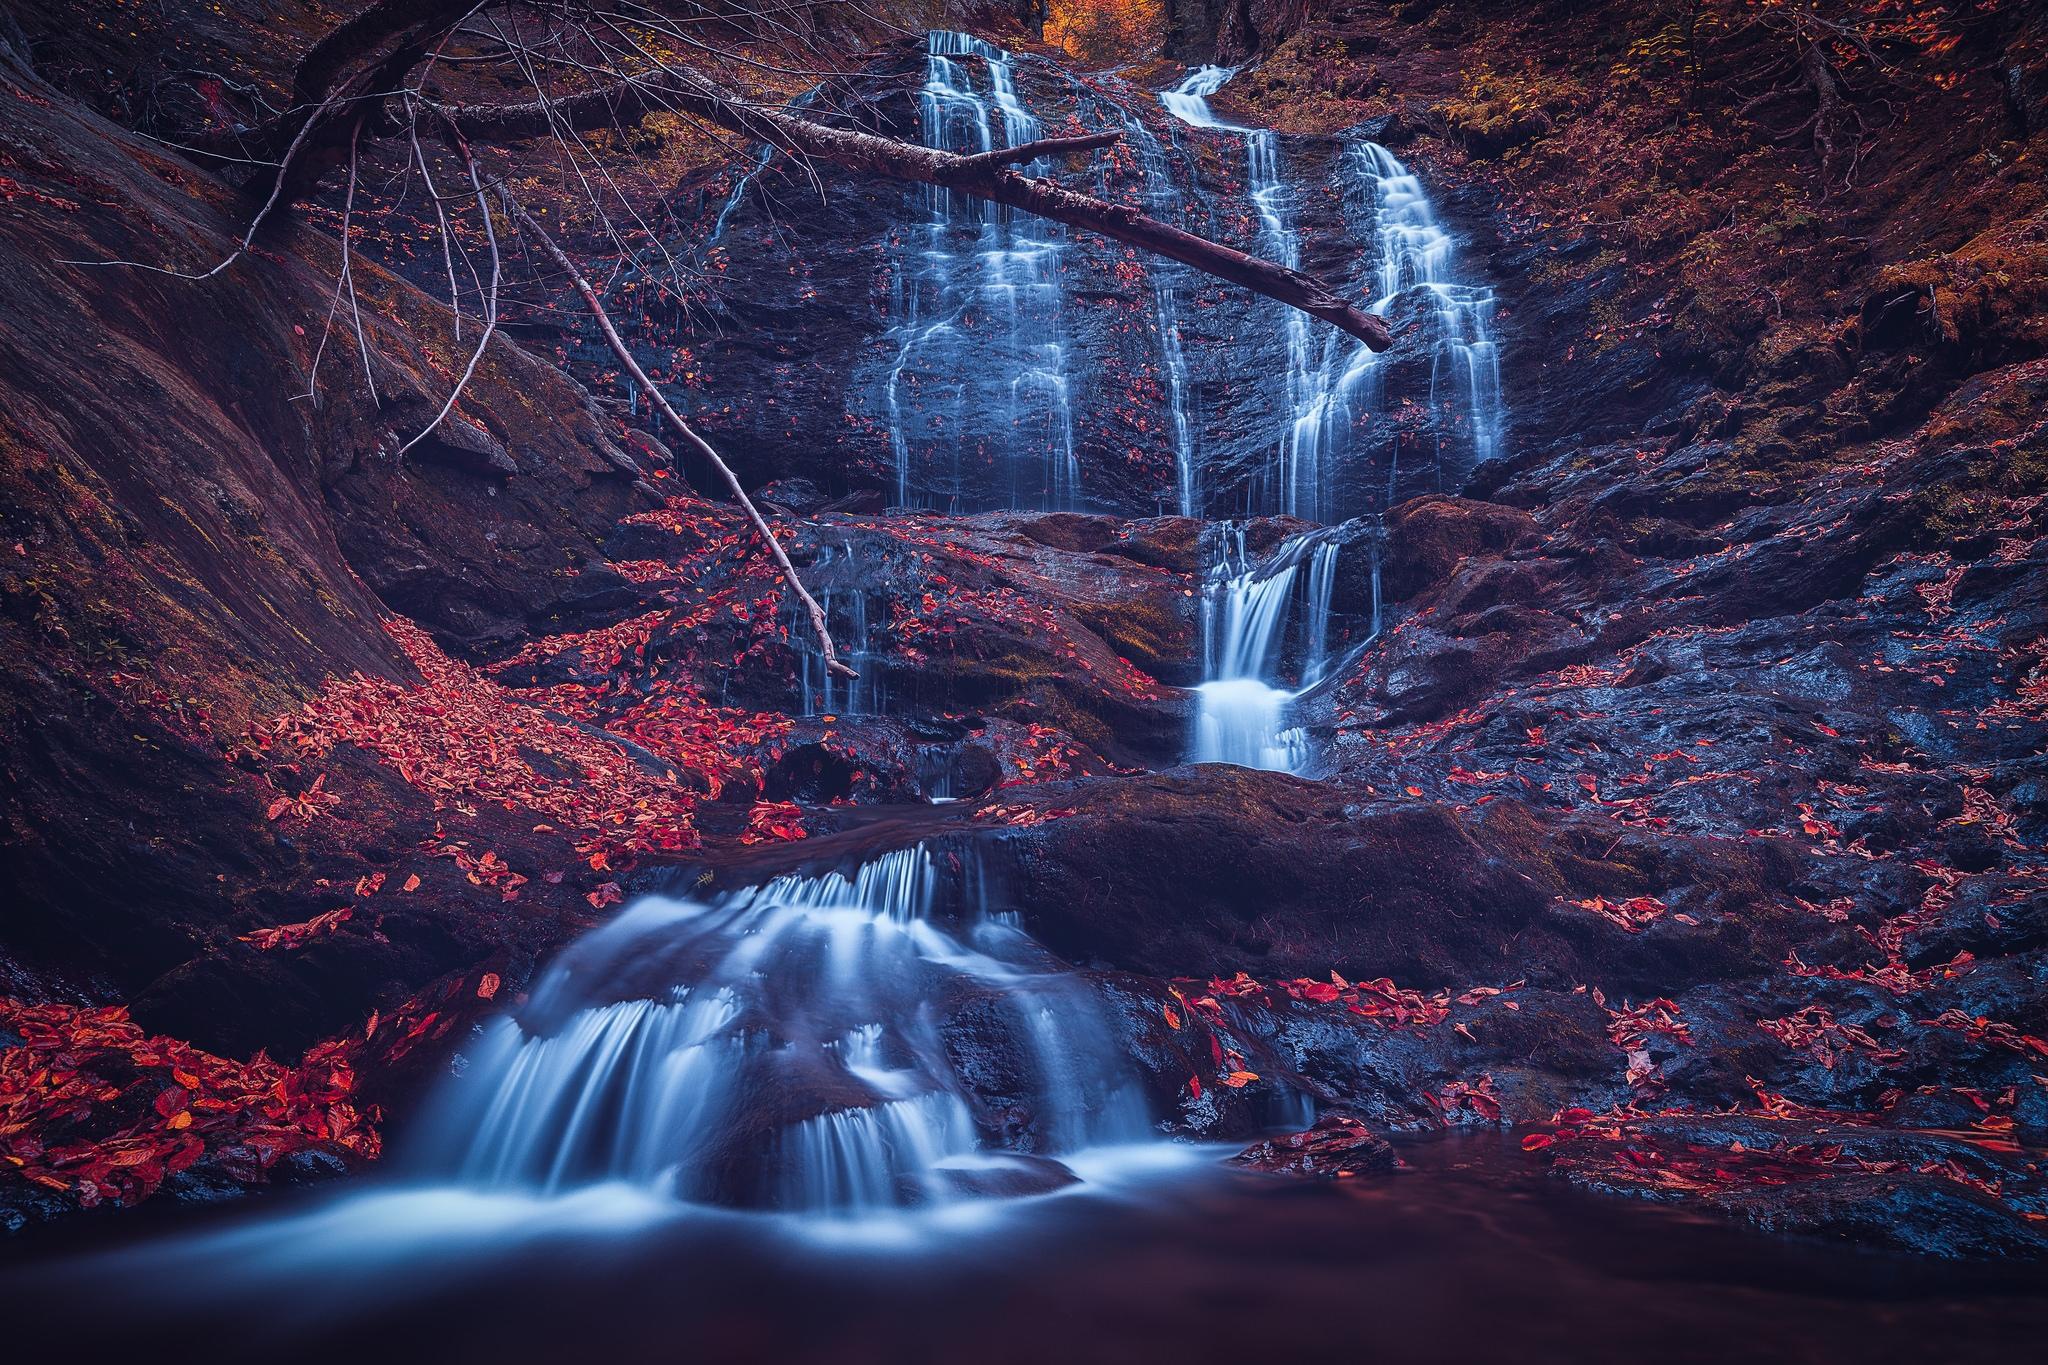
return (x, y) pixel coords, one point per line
(1695, 764)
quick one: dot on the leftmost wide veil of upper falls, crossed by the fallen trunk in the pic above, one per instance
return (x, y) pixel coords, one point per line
(980, 369)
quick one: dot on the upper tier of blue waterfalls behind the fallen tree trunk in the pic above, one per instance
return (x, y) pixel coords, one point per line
(986, 363)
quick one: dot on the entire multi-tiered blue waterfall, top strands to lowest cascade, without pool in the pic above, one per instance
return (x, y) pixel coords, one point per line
(884, 1037)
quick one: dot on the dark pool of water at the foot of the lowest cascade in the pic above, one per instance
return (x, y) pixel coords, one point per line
(1160, 1256)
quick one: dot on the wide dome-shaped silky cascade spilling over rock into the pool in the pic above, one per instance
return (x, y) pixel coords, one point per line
(790, 1049)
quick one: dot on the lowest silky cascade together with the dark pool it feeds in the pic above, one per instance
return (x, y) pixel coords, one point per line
(865, 1118)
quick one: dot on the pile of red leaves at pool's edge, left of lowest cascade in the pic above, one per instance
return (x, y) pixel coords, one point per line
(97, 1108)
